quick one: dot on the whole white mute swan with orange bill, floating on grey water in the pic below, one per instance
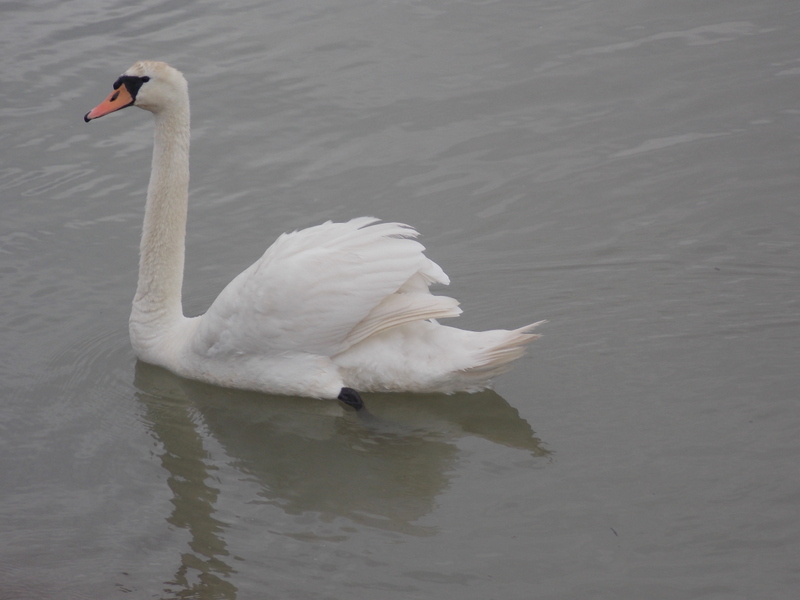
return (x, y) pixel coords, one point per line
(324, 312)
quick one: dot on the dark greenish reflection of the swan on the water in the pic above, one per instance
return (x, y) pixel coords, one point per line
(381, 468)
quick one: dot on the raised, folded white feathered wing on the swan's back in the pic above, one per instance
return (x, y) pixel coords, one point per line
(322, 289)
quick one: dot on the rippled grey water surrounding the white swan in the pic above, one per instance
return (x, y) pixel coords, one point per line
(625, 169)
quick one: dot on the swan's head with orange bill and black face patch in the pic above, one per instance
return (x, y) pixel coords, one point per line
(151, 85)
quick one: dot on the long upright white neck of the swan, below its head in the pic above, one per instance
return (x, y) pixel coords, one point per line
(157, 304)
